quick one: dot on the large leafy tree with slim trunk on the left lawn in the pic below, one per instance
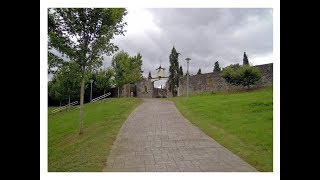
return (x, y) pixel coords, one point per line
(83, 35)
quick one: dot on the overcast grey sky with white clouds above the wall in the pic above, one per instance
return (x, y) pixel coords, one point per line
(205, 35)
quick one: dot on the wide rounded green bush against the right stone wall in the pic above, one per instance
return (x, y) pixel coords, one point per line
(245, 75)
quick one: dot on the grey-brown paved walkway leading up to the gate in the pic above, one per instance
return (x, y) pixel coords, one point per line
(156, 137)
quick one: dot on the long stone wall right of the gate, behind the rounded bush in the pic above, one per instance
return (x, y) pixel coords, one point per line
(214, 82)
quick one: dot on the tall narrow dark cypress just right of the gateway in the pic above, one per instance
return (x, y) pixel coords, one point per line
(174, 71)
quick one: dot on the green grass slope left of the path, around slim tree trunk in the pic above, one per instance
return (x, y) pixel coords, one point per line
(69, 151)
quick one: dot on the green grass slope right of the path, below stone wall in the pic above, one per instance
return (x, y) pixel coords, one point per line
(241, 122)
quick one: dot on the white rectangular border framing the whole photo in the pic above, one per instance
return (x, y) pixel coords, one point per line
(275, 4)
